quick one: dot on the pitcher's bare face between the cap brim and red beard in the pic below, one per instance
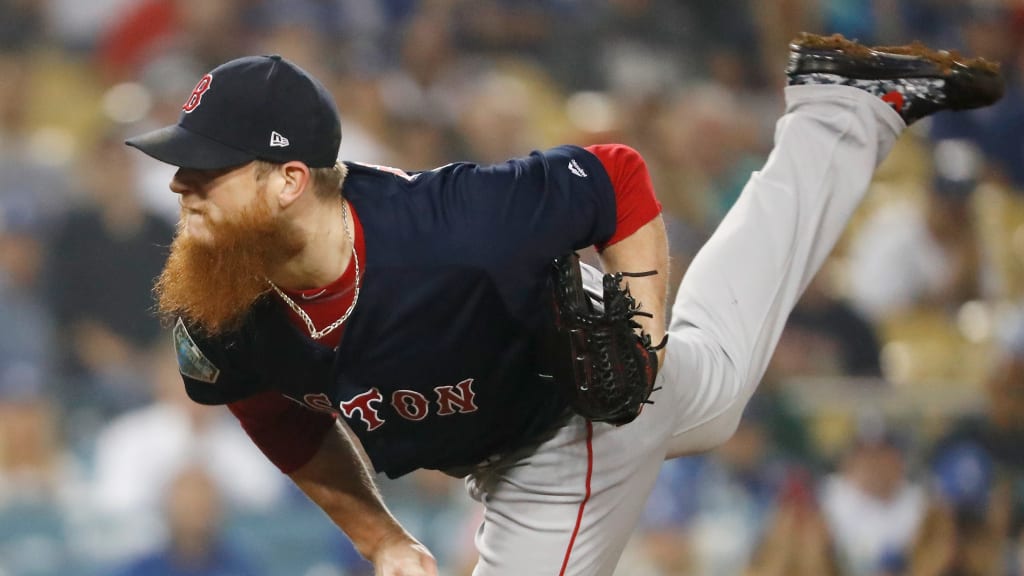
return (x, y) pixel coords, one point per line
(212, 197)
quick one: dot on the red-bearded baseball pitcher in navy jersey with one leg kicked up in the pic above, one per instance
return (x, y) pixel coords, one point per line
(361, 319)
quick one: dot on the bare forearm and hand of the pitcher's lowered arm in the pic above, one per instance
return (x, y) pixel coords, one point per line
(339, 482)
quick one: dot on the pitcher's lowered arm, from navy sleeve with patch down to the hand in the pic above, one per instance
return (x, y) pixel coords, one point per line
(313, 448)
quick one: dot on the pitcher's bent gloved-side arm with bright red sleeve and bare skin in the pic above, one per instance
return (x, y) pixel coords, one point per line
(641, 243)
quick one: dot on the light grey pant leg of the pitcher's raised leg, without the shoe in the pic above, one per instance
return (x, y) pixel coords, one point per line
(739, 293)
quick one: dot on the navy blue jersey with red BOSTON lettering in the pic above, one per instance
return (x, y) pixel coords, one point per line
(437, 366)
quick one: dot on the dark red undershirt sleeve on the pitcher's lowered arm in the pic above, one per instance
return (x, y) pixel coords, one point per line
(288, 434)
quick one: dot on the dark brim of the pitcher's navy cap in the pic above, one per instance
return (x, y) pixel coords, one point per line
(179, 147)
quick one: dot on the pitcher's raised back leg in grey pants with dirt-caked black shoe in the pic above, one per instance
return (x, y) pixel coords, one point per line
(846, 106)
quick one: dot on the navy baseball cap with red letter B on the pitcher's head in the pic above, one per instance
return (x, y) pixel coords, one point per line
(254, 108)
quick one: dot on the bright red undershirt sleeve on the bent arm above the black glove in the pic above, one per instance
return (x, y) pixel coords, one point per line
(635, 201)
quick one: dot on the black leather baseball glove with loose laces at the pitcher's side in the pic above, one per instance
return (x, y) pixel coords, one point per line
(596, 356)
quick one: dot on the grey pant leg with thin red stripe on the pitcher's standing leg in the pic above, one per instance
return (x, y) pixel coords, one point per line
(569, 507)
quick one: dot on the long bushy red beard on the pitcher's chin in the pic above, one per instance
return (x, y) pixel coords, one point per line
(215, 285)
